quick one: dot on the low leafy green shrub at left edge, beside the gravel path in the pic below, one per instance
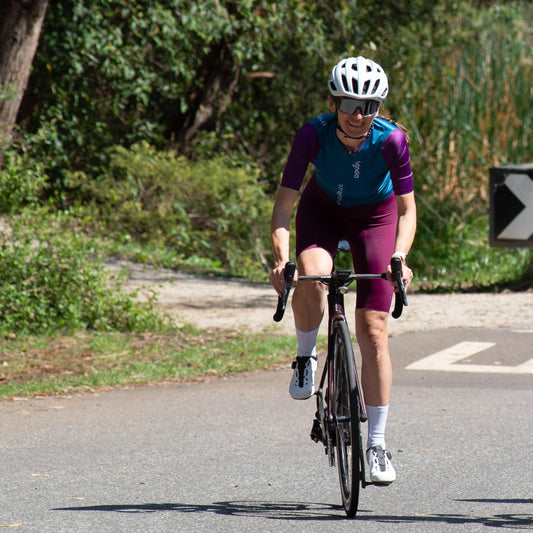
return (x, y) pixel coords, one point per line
(48, 284)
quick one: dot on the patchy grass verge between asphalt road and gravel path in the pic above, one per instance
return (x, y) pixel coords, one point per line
(32, 366)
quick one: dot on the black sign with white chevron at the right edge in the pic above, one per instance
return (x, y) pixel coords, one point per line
(511, 206)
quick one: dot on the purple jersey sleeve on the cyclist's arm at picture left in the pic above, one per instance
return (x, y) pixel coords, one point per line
(305, 149)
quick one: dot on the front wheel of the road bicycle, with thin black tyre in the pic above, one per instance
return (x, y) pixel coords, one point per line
(346, 419)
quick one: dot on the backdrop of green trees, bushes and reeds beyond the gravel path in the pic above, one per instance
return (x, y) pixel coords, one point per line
(158, 130)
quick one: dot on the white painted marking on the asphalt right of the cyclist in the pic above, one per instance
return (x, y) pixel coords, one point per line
(446, 360)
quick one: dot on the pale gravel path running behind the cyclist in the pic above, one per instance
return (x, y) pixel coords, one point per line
(234, 304)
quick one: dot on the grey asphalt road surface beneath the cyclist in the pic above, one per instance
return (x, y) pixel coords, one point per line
(234, 454)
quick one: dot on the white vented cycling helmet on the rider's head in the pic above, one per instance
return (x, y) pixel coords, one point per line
(360, 78)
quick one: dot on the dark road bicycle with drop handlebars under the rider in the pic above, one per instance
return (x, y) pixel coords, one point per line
(340, 404)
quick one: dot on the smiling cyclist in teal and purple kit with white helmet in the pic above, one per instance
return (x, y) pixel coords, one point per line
(361, 191)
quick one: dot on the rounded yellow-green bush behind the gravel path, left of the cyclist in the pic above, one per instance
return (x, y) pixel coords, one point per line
(211, 210)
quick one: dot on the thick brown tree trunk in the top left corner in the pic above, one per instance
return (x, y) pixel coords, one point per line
(20, 27)
